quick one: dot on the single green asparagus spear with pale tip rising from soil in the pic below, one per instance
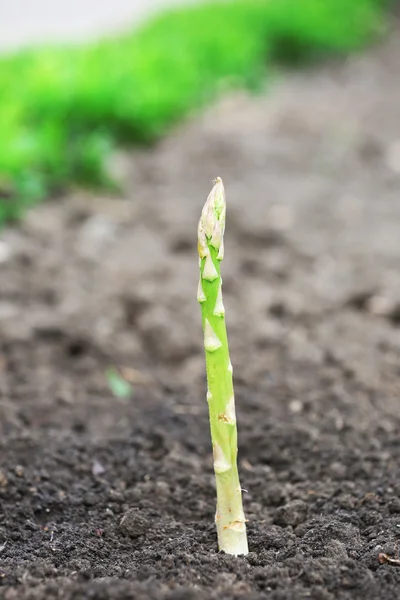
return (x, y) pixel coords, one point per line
(230, 519)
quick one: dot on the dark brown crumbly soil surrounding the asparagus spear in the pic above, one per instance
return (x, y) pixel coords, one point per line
(111, 498)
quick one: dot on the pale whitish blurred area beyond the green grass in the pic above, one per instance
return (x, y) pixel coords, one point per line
(27, 22)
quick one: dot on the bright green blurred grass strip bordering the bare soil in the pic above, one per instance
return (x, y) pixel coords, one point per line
(63, 110)
